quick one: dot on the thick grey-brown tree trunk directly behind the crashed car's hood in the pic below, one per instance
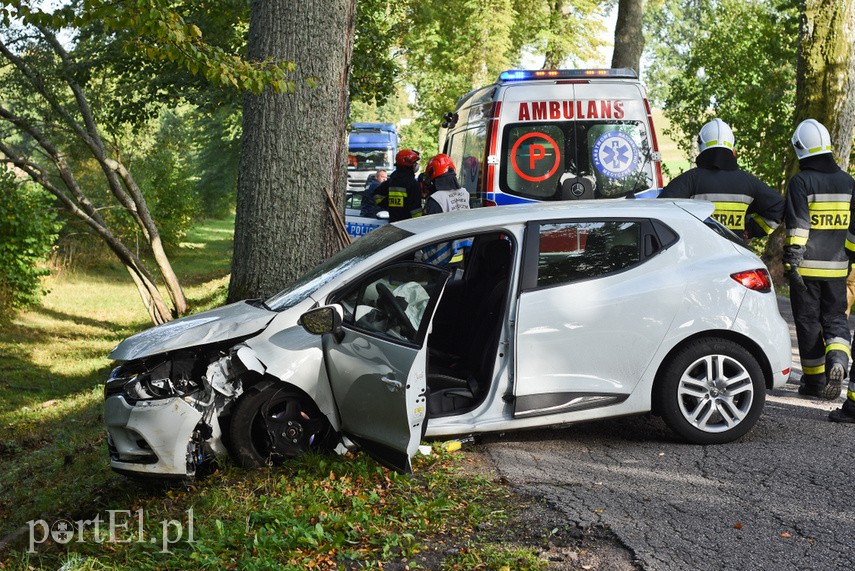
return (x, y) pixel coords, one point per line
(293, 147)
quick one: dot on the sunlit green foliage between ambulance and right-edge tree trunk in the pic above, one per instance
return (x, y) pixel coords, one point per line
(730, 59)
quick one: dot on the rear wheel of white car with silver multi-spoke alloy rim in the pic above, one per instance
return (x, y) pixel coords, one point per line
(711, 391)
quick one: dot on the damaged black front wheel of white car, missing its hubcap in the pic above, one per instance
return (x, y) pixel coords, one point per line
(272, 422)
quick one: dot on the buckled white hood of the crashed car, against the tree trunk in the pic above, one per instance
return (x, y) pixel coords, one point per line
(228, 322)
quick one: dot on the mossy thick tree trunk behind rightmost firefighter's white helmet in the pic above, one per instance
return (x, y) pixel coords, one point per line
(825, 88)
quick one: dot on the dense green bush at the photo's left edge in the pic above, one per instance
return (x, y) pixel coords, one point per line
(27, 233)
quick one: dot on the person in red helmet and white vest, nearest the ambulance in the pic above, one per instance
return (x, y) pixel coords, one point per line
(445, 195)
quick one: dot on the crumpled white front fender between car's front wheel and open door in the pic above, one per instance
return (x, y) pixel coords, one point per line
(294, 356)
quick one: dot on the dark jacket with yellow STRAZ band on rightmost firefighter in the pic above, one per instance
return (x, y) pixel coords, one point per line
(819, 218)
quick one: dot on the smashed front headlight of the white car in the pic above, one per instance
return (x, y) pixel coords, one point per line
(149, 384)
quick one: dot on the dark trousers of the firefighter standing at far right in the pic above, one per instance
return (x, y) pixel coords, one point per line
(822, 330)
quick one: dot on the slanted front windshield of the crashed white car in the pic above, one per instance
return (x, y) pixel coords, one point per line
(337, 264)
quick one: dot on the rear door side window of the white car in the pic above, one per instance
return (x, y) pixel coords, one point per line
(572, 251)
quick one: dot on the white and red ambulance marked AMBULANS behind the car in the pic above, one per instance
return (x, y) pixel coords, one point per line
(554, 135)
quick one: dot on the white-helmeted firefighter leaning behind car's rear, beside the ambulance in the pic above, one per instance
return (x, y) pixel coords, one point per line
(743, 203)
